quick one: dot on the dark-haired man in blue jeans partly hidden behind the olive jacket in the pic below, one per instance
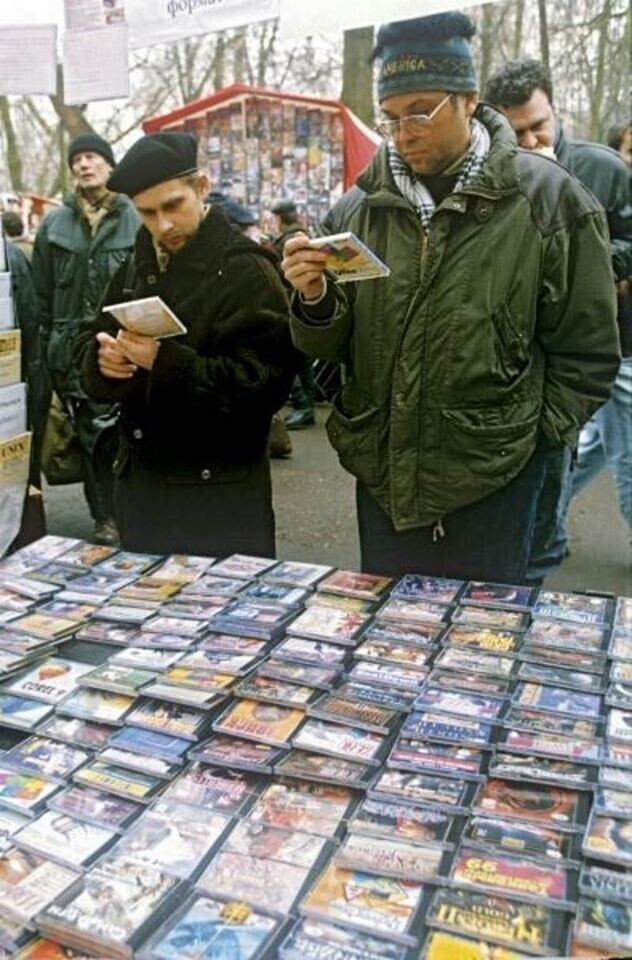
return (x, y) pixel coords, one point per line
(523, 91)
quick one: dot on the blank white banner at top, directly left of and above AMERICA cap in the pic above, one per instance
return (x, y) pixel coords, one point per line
(332, 16)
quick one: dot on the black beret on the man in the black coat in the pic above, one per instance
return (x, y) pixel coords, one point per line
(154, 159)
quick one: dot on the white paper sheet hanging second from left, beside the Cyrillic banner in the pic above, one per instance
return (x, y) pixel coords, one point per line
(96, 64)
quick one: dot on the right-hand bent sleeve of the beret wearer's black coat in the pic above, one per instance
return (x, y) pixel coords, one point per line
(251, 361)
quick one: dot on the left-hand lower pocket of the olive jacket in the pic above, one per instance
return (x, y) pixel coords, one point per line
(355, 440)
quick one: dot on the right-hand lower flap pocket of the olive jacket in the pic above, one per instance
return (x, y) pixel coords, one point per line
(485, 443)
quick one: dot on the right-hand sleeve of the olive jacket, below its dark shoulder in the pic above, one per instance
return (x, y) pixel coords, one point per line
(576, 326)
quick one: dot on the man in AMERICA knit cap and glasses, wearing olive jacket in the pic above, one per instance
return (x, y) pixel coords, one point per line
(492, 339)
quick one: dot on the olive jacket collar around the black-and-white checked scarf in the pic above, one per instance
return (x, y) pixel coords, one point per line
(498, 175)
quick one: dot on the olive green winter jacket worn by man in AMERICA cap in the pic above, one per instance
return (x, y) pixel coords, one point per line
(497, 328)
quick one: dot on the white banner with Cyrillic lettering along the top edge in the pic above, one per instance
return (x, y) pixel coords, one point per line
(161, 21)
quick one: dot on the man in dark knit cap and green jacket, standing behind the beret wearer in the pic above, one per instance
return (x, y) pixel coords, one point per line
(77, 249)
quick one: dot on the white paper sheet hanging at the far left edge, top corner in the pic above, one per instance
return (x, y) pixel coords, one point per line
(28, 59)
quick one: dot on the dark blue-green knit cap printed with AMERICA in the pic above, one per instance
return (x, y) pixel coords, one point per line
(427, 53)
